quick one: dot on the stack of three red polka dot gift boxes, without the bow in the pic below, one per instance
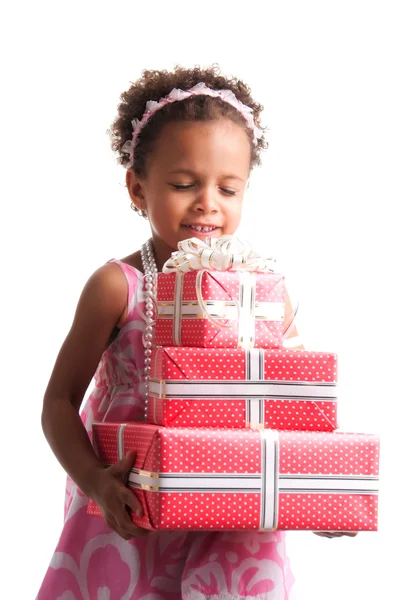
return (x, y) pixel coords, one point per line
(240, 432)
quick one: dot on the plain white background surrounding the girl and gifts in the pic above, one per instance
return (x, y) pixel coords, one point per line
(322, 203)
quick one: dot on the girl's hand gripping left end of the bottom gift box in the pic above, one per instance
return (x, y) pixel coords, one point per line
(116, 500)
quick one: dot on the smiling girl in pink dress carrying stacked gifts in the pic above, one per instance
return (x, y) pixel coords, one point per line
(189, 139)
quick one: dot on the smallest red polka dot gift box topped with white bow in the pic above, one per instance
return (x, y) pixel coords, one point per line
(219, 294)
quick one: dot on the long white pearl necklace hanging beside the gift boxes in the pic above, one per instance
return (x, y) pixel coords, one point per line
(150, 288)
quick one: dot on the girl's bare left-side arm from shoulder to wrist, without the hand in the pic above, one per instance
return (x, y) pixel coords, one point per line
(100, 306)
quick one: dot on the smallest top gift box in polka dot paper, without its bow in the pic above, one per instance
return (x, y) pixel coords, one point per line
(246, 309)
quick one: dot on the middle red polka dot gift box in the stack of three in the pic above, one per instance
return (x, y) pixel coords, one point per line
(236, 388)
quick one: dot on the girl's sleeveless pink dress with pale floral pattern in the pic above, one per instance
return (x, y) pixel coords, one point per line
(92, 562)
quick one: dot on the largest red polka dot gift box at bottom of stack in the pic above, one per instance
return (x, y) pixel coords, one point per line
(245, 479)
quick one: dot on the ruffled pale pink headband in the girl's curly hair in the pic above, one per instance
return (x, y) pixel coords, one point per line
(176, 95)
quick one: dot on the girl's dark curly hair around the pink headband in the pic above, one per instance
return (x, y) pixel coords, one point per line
(154, 85)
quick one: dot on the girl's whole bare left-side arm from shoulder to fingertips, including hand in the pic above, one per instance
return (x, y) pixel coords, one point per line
(99, 309)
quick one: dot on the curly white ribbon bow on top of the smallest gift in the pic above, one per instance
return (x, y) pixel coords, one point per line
(227, 253)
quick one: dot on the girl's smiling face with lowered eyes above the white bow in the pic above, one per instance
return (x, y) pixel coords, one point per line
(194, 183)
